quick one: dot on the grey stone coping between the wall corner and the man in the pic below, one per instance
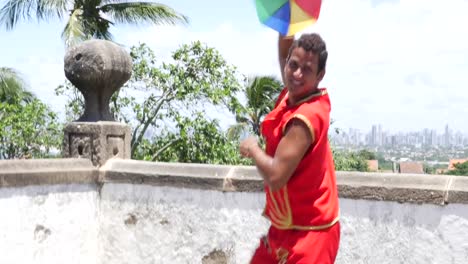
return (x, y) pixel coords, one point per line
(184, 175)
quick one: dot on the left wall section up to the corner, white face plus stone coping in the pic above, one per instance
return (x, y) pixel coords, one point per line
(49, 212)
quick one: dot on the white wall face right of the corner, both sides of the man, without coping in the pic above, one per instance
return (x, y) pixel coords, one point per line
(181, 226)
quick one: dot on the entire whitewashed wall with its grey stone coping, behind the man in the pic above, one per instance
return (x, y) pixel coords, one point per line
(127, 211)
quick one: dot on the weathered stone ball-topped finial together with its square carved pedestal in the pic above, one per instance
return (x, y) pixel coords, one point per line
(97, 68)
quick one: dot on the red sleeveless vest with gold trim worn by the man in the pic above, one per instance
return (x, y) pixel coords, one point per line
(309, 201)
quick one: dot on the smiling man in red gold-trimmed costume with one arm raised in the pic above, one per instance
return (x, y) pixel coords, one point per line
(297, 164)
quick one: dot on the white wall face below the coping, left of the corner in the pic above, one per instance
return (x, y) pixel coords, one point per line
(48, 224)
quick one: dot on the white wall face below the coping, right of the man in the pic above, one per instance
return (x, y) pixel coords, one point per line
(389, 232)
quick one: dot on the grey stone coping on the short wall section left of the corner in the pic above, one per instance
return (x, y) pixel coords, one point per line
(17, 173)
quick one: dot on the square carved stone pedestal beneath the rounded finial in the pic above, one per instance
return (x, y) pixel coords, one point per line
(97, 141)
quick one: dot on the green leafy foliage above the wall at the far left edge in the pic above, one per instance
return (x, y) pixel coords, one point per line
(28, 130)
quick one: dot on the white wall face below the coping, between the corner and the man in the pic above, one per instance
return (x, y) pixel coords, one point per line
(175, 225)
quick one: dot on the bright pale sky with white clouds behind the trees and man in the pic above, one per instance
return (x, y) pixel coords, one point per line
(399, 63)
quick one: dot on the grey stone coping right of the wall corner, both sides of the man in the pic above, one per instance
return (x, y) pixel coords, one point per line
(403, 188)
